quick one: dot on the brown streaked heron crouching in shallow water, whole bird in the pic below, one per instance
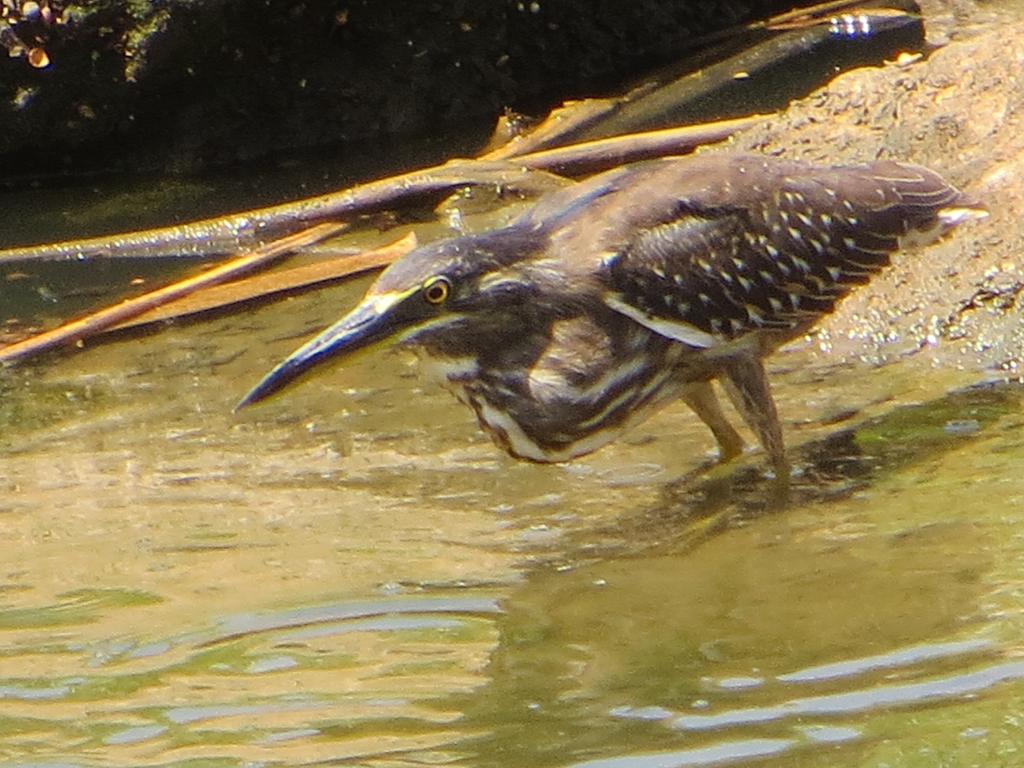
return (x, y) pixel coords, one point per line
(639, 286)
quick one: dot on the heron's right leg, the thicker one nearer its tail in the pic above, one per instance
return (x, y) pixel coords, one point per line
(747, 385)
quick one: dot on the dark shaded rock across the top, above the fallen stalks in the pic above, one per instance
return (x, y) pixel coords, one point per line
(182, 86)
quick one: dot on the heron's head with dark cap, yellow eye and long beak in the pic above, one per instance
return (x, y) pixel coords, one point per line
(441, 295)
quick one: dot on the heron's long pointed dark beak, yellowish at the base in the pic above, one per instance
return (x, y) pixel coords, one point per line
(369, 323)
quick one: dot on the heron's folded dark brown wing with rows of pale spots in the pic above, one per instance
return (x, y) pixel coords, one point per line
(747, 244)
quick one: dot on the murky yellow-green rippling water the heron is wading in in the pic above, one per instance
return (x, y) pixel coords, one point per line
(353, 574)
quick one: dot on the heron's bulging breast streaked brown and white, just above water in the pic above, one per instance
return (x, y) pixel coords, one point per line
(568, 392)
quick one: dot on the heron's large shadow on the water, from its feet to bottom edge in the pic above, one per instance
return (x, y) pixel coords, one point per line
(707, 639)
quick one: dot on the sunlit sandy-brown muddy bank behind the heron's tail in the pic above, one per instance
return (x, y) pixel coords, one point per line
(959, 111)
